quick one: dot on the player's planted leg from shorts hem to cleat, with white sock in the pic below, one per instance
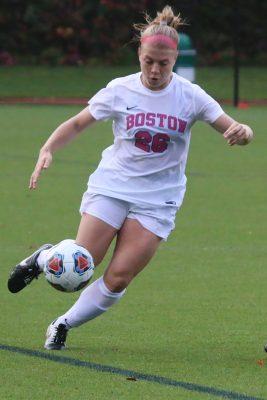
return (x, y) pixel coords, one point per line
(134, 248)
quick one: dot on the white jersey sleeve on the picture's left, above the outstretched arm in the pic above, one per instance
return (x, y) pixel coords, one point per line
(101, 105)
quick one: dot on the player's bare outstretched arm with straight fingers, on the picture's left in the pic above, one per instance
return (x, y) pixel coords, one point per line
(64, 133)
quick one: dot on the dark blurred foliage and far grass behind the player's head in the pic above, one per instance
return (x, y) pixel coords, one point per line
(49, 39)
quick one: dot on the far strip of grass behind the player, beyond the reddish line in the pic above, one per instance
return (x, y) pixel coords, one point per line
(85, 81)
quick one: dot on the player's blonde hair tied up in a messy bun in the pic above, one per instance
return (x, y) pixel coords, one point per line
(165, 23)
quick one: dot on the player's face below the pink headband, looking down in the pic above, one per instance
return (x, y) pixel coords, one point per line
(156, 65)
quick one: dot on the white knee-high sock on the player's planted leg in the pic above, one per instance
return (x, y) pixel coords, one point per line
(93, 301)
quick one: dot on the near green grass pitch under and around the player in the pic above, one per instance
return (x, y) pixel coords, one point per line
(197, 314)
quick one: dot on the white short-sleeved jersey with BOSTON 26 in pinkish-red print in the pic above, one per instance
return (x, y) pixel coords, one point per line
(146, 163)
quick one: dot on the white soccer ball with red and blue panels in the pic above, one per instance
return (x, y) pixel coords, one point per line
(68, 267)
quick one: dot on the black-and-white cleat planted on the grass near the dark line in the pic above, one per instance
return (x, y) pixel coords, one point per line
(56, 336)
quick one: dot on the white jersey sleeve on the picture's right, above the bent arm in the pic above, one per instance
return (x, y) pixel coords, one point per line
(206, 108)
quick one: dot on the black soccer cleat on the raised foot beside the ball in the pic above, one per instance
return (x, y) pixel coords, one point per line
(25, 271)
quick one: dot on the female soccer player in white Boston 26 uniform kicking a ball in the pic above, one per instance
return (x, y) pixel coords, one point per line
(140, 182)
